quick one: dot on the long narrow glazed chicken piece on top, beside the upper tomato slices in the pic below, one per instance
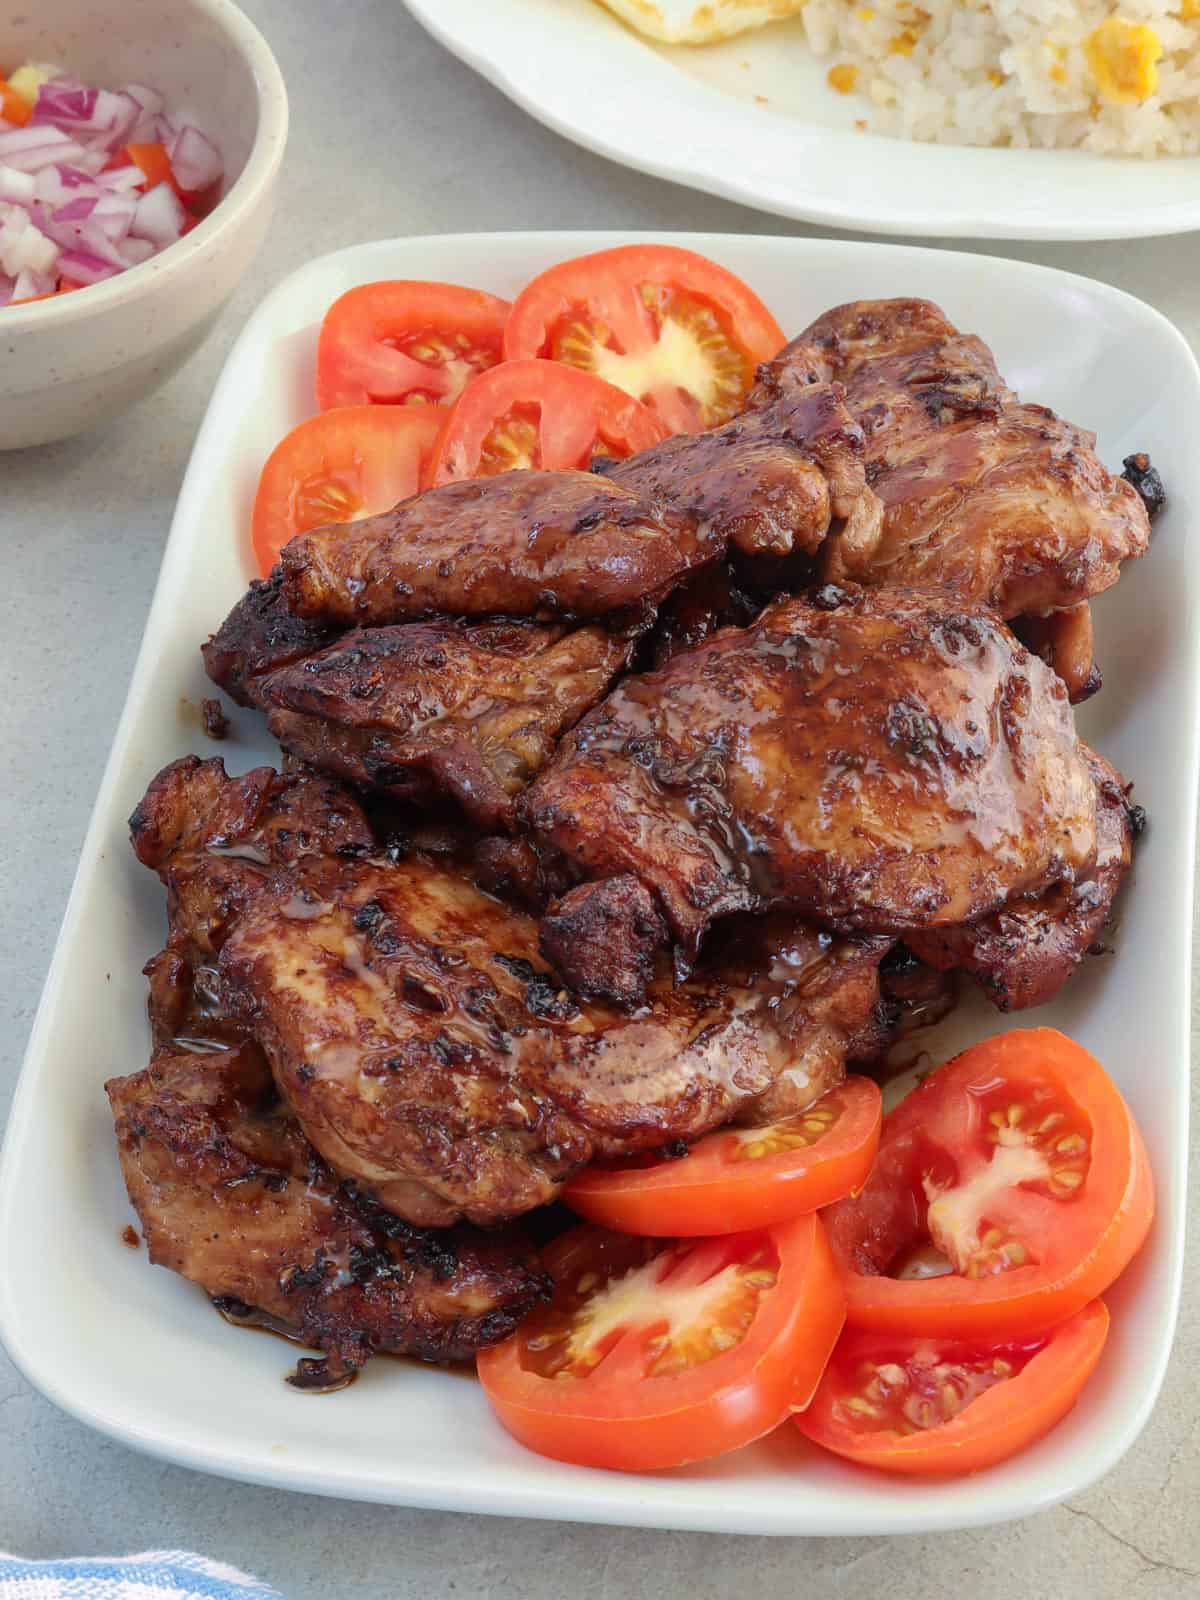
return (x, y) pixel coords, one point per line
(519, 545)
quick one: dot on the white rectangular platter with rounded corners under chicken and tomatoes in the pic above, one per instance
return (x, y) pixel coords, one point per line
(140, 1354)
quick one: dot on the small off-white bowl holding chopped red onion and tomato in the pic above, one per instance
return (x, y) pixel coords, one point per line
(76, 362)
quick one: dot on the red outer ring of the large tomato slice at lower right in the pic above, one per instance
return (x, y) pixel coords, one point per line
(1094, 1238)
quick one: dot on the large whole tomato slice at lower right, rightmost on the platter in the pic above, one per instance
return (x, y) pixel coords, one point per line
(1023, 1167)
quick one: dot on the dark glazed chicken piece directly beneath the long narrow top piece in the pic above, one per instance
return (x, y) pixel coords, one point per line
(473, 711)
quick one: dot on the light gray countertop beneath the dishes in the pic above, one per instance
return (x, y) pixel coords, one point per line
(394, 137)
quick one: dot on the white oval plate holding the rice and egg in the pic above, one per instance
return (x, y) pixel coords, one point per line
(692, 116)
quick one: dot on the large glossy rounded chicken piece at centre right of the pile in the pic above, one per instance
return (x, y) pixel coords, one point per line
(879, 761)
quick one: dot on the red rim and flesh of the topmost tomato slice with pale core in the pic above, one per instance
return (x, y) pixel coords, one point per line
(607, 286)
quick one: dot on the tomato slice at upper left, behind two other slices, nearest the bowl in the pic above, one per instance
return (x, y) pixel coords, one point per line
(407, 342)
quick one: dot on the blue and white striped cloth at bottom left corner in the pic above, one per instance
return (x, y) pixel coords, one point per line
(156, 1575)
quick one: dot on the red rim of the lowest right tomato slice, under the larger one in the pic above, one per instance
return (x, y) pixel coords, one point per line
(993, 1428)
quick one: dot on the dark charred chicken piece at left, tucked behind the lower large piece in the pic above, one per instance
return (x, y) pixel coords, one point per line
(214, 841)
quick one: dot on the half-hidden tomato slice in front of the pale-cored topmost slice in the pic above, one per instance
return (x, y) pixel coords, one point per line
(540, 415)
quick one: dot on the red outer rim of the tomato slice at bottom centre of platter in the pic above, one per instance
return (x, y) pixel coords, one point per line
(644, 1425)
